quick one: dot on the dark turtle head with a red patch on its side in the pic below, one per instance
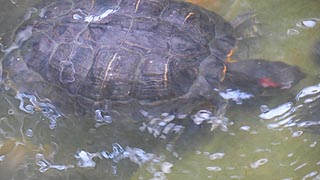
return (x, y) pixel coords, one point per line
(260, 74)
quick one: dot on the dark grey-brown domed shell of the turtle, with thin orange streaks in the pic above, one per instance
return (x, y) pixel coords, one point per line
(118, 50)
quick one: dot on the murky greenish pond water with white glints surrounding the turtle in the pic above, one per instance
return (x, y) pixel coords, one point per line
(282, 142)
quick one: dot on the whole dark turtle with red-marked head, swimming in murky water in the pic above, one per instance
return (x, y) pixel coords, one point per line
(124, 56)
